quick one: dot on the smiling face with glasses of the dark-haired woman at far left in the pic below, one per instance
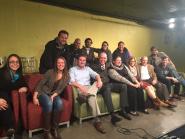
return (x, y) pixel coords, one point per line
(14, 63)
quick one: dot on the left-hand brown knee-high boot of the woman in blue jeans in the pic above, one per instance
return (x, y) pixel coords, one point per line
(46, 124)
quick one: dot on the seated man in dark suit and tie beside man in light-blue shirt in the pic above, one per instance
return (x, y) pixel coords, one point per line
(101, 67)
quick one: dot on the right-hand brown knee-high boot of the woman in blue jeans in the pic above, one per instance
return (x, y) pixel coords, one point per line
(55, 121)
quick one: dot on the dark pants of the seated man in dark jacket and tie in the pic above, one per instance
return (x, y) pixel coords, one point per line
(116, 87)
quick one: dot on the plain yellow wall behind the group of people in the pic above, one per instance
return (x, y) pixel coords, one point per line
(25, 27)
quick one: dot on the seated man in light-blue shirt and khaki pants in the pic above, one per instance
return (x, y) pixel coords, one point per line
(80, 78)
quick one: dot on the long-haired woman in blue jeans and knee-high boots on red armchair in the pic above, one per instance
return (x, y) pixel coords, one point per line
(47, 95)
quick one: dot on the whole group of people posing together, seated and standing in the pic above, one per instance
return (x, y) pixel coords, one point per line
(119, 71)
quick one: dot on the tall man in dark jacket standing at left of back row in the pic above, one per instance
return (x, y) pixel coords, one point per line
(53, 49)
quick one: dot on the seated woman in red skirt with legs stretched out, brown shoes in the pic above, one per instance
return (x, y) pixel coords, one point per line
(144, 85)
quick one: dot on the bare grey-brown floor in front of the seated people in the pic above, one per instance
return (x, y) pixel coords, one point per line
(156, 123)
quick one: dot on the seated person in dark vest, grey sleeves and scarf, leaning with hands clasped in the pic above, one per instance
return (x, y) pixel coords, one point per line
(120, 73)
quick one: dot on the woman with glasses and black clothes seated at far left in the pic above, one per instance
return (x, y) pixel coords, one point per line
(11, 78)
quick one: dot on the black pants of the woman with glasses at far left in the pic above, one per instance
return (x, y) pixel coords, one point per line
(6, 116)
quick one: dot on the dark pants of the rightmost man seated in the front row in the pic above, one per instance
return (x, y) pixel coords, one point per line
(169, 83)
